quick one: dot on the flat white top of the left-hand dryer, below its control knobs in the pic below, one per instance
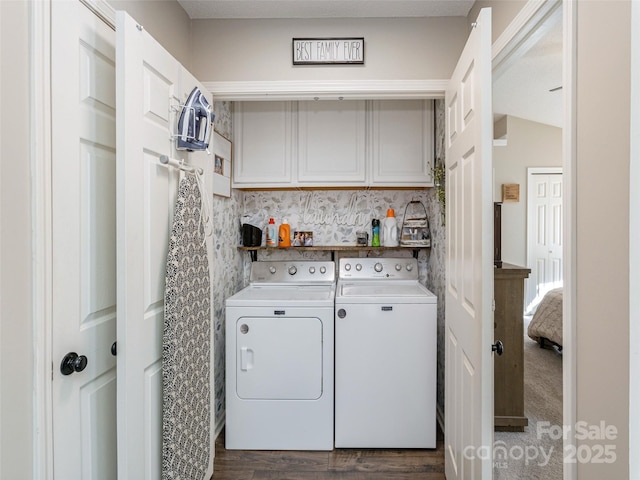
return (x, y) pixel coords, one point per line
(293, 295)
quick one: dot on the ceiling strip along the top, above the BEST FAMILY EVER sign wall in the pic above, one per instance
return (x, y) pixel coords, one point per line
(324, 8)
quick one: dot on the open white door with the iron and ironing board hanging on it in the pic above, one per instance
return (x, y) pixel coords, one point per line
(151, 85)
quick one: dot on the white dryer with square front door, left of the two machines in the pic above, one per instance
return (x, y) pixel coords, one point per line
(279, 358)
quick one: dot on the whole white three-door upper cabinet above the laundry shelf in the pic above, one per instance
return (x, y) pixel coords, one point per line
(326, 143)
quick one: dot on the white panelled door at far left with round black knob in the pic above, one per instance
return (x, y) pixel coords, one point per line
(83, 169)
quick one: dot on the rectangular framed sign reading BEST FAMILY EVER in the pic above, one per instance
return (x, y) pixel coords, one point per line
(328, 51)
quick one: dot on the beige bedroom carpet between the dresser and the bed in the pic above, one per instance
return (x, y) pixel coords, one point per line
(534, 454)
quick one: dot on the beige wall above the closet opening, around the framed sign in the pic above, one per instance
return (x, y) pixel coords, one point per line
(260, 50)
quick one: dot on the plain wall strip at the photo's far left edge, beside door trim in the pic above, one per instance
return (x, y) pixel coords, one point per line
(16, 348)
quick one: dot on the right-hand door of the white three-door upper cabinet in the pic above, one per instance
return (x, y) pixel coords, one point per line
(402, 143)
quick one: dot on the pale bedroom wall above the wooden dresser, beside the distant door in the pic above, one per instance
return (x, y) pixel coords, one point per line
(529, 144)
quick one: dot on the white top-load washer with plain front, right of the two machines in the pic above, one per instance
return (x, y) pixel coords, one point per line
(385, 355)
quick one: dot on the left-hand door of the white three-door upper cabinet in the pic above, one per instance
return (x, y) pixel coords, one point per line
(262, 147)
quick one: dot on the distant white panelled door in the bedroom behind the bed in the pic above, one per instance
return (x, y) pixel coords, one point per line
(544, 243)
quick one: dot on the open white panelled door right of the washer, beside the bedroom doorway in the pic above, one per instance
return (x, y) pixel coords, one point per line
(469, 284)
